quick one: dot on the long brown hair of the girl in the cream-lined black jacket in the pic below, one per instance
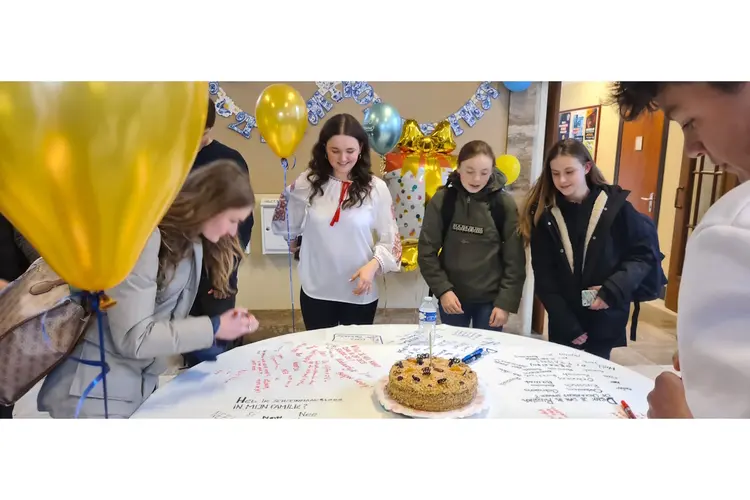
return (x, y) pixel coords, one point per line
(542, 193)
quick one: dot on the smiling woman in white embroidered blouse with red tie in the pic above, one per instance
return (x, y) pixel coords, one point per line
(338, 203)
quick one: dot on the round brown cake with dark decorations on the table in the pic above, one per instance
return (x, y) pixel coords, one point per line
(440, 385)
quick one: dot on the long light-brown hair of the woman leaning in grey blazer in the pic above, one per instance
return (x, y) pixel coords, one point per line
(210, 190)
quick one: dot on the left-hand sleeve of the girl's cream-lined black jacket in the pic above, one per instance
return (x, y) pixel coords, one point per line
(547, 289)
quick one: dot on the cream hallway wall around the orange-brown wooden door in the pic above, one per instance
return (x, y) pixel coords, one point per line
(582, 94)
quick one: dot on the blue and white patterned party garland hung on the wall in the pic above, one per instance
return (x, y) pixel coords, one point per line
(328, 93)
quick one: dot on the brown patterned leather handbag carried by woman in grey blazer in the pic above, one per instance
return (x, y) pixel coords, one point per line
(40, 325)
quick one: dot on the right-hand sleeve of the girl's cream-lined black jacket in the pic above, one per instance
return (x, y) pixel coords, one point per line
(636, 261)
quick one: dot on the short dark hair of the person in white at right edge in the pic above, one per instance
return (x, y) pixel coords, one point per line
(635, 98)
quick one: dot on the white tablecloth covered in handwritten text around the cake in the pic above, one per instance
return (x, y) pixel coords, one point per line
(334, 376)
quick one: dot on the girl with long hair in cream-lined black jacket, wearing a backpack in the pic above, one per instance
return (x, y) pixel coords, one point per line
(586, 240)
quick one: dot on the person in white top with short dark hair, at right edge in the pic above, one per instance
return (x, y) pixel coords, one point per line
(713, 316)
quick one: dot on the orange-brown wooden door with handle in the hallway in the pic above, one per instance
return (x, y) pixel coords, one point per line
(640, 161)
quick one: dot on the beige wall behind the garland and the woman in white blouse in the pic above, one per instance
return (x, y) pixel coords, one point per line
(264, 279)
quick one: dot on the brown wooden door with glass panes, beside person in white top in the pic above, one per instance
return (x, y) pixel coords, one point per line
(701, 184)
